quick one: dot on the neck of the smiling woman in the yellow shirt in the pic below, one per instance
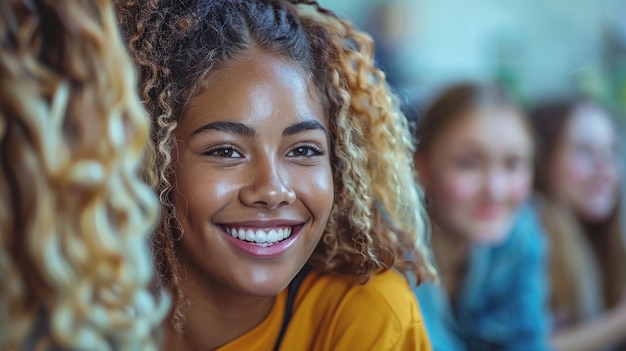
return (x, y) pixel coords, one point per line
(215, 316)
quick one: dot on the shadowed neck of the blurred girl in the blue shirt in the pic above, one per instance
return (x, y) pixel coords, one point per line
(451, 254)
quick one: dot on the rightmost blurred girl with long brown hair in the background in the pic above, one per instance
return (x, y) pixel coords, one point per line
(578, 174)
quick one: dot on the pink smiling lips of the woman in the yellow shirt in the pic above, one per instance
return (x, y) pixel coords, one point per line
(265, 252)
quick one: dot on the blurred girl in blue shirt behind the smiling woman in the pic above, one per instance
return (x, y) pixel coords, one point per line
(474, 159)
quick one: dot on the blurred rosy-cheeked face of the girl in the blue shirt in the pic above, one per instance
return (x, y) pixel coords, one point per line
(477, 171)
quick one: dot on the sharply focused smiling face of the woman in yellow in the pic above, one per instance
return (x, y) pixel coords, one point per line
(254, 187)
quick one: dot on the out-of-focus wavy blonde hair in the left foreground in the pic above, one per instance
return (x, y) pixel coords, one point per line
(74, 215)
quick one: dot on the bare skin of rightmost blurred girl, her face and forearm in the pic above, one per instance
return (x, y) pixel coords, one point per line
(584, 174)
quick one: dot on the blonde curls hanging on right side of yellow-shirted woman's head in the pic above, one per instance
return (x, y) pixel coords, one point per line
(377, 221)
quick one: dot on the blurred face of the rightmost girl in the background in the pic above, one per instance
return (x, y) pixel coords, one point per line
(585, 166)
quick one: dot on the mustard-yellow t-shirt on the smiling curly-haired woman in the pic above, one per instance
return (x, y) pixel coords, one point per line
(331, 313)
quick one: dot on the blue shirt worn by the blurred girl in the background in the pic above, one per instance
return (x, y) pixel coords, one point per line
(501, 304)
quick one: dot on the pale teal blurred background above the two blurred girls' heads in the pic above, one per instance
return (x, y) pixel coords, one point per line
(537, 48)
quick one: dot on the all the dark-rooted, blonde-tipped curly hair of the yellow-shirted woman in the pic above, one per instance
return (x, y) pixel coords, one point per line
(377, 221)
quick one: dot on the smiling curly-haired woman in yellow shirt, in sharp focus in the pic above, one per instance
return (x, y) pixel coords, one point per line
(281, 224)
